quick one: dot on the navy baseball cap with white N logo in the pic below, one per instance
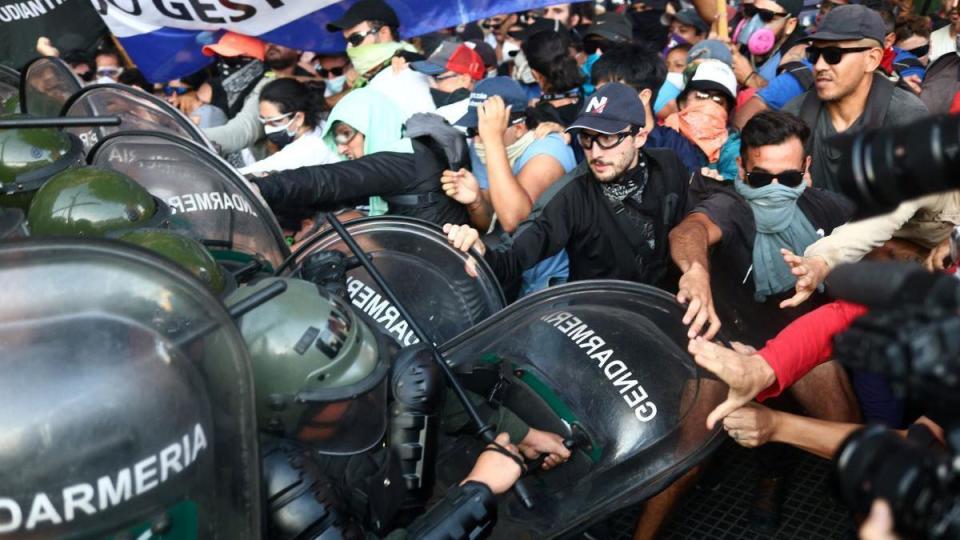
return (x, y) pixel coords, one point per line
(612, 109)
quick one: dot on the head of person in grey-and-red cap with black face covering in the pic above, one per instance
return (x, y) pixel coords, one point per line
(454, 68)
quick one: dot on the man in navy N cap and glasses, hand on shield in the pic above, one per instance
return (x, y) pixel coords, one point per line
(613, 219)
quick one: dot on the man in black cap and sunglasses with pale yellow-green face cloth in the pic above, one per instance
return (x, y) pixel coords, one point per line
(371, 30)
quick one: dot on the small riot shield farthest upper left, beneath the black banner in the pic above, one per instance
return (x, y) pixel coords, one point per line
(47, 84)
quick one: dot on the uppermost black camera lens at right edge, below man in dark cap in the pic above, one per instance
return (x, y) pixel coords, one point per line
(896, 164)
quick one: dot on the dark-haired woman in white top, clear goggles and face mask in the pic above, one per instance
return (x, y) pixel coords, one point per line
(290, 112)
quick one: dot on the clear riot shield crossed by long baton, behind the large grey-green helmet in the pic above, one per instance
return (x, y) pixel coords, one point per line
(425, 272)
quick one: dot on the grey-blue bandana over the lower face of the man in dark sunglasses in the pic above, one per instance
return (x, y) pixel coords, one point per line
(780, 224)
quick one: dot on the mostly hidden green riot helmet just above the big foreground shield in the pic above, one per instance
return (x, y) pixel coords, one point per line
(187, 253)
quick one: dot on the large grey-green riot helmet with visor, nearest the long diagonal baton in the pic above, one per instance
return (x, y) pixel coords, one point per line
(319, 371)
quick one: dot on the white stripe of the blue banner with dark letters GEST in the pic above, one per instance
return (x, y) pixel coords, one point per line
(251, 17)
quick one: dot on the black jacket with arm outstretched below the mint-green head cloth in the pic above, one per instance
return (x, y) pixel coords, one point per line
(410, 183)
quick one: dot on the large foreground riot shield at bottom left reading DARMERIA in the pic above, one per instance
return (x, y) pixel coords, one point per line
(126, 402)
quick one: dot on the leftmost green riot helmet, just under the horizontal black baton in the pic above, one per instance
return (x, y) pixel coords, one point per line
(28, 157)
